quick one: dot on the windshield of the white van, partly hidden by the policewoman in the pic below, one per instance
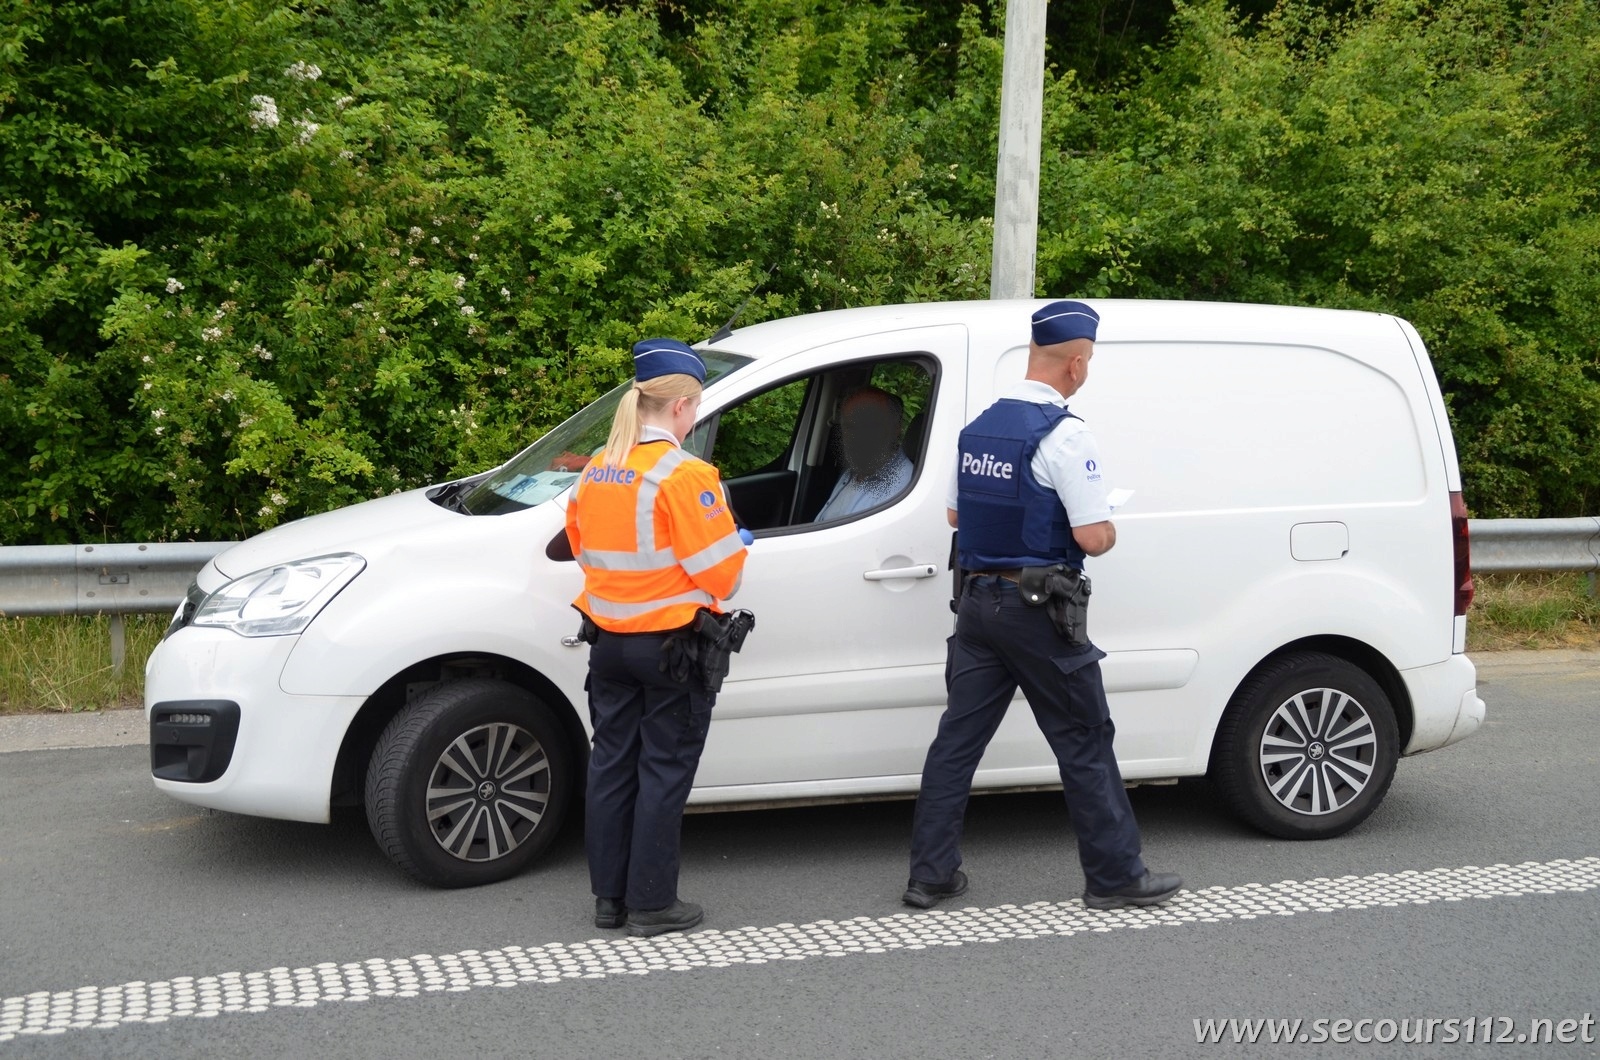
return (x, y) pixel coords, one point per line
(546, 468)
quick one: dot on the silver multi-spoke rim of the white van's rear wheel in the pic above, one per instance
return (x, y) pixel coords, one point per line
(1319, 752)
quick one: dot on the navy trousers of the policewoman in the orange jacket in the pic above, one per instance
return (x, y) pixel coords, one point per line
(649, 734)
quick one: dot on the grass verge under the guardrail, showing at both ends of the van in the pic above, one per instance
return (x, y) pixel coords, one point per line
(63, 665)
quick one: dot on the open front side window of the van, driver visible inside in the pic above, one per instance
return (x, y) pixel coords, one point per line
(822, 449)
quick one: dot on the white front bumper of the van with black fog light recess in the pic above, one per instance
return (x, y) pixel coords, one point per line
(225, 736)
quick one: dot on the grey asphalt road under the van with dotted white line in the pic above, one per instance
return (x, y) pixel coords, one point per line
(132, 902)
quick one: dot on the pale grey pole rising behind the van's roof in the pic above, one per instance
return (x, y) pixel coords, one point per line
(1017, 174)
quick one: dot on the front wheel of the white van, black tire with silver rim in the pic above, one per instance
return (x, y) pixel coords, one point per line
(470, 739)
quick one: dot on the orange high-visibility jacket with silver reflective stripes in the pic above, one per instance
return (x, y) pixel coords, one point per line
(655, 539)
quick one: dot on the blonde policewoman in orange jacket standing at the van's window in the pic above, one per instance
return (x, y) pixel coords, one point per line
(657, 542)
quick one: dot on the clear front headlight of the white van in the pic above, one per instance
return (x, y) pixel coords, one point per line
(282, 600)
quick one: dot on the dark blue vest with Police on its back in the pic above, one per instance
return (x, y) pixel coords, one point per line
(1007, 518)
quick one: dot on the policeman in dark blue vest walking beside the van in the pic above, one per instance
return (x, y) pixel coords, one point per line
(1030, 504)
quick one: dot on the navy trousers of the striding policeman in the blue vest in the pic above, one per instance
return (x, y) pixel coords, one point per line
(1002, 644)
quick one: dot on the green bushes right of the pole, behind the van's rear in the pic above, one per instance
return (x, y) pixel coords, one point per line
(1434, 161)
